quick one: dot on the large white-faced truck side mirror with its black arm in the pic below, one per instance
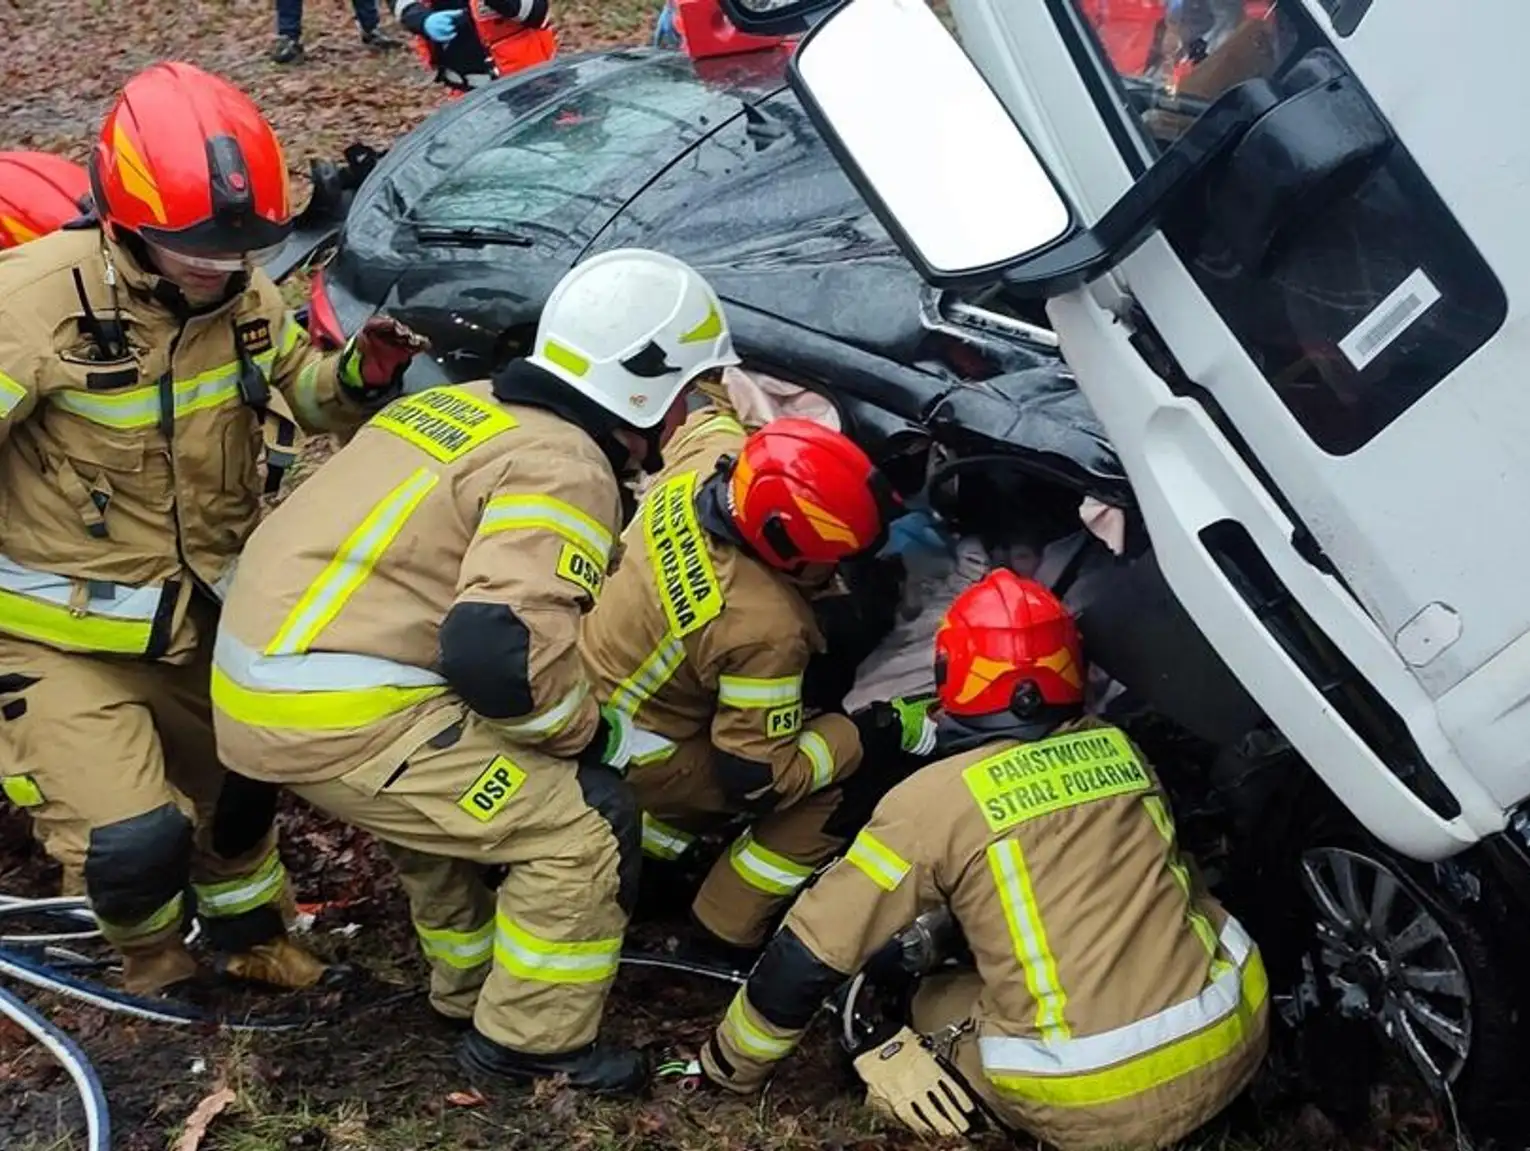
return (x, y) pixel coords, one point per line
(946, 169)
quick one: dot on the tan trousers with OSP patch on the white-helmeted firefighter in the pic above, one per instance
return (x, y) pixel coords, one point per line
(533, 962)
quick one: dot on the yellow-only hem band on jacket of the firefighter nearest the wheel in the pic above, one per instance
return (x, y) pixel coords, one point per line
(1154, 1069)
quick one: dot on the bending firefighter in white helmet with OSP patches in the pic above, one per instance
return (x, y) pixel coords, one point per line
(400, 650)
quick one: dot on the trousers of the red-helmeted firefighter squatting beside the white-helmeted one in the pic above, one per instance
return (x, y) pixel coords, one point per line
(767, 864)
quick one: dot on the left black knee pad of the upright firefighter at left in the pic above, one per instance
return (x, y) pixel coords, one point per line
(134, 867)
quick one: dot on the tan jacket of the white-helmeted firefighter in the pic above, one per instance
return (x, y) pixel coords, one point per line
(444, 556)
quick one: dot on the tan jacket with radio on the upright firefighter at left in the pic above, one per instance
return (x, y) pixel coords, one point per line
(128, 480)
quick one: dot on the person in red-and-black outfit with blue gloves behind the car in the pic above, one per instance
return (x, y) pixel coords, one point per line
(467, 44)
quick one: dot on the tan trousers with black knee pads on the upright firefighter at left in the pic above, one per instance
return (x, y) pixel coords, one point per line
(116, 763)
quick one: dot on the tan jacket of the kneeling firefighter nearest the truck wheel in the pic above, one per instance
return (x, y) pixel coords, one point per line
(1121, 1003)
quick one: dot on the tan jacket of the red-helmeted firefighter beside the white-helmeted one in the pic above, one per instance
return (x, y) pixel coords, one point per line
(697, 641)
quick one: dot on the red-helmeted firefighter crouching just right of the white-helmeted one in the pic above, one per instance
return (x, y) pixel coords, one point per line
(702, 642)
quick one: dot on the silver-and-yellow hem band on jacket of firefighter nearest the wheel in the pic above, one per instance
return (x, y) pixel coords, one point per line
(1127, 1061)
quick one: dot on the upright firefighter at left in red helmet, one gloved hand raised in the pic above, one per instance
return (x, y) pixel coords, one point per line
(138, 356)
